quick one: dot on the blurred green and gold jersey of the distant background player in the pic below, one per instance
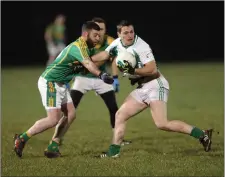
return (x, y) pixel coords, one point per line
(57, 32)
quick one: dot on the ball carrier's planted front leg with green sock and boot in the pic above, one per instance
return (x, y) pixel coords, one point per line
(129, 108)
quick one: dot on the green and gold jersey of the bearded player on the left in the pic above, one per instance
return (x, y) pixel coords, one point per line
(62, 69)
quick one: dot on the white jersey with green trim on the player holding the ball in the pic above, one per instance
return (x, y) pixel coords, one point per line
(140, 49)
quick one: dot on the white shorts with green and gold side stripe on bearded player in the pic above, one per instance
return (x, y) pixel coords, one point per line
(53, 95)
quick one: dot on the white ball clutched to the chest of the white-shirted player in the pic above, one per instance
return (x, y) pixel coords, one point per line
(127, 56)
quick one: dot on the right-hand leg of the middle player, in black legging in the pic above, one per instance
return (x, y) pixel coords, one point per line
(107, 93)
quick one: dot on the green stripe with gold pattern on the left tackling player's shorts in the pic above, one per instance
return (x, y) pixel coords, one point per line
(51, 95)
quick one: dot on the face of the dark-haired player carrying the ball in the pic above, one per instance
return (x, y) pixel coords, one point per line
(127, 35)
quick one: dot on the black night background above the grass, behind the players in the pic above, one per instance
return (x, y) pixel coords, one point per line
(176, 31)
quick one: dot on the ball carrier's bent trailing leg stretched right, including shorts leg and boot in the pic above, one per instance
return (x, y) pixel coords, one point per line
(157, 100)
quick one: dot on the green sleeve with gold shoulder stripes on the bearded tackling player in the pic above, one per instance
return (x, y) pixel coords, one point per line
(79, 52)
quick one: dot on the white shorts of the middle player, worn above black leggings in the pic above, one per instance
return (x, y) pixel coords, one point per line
(85, 84)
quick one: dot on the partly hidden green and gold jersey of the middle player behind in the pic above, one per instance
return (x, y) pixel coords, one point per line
(98, 48)
